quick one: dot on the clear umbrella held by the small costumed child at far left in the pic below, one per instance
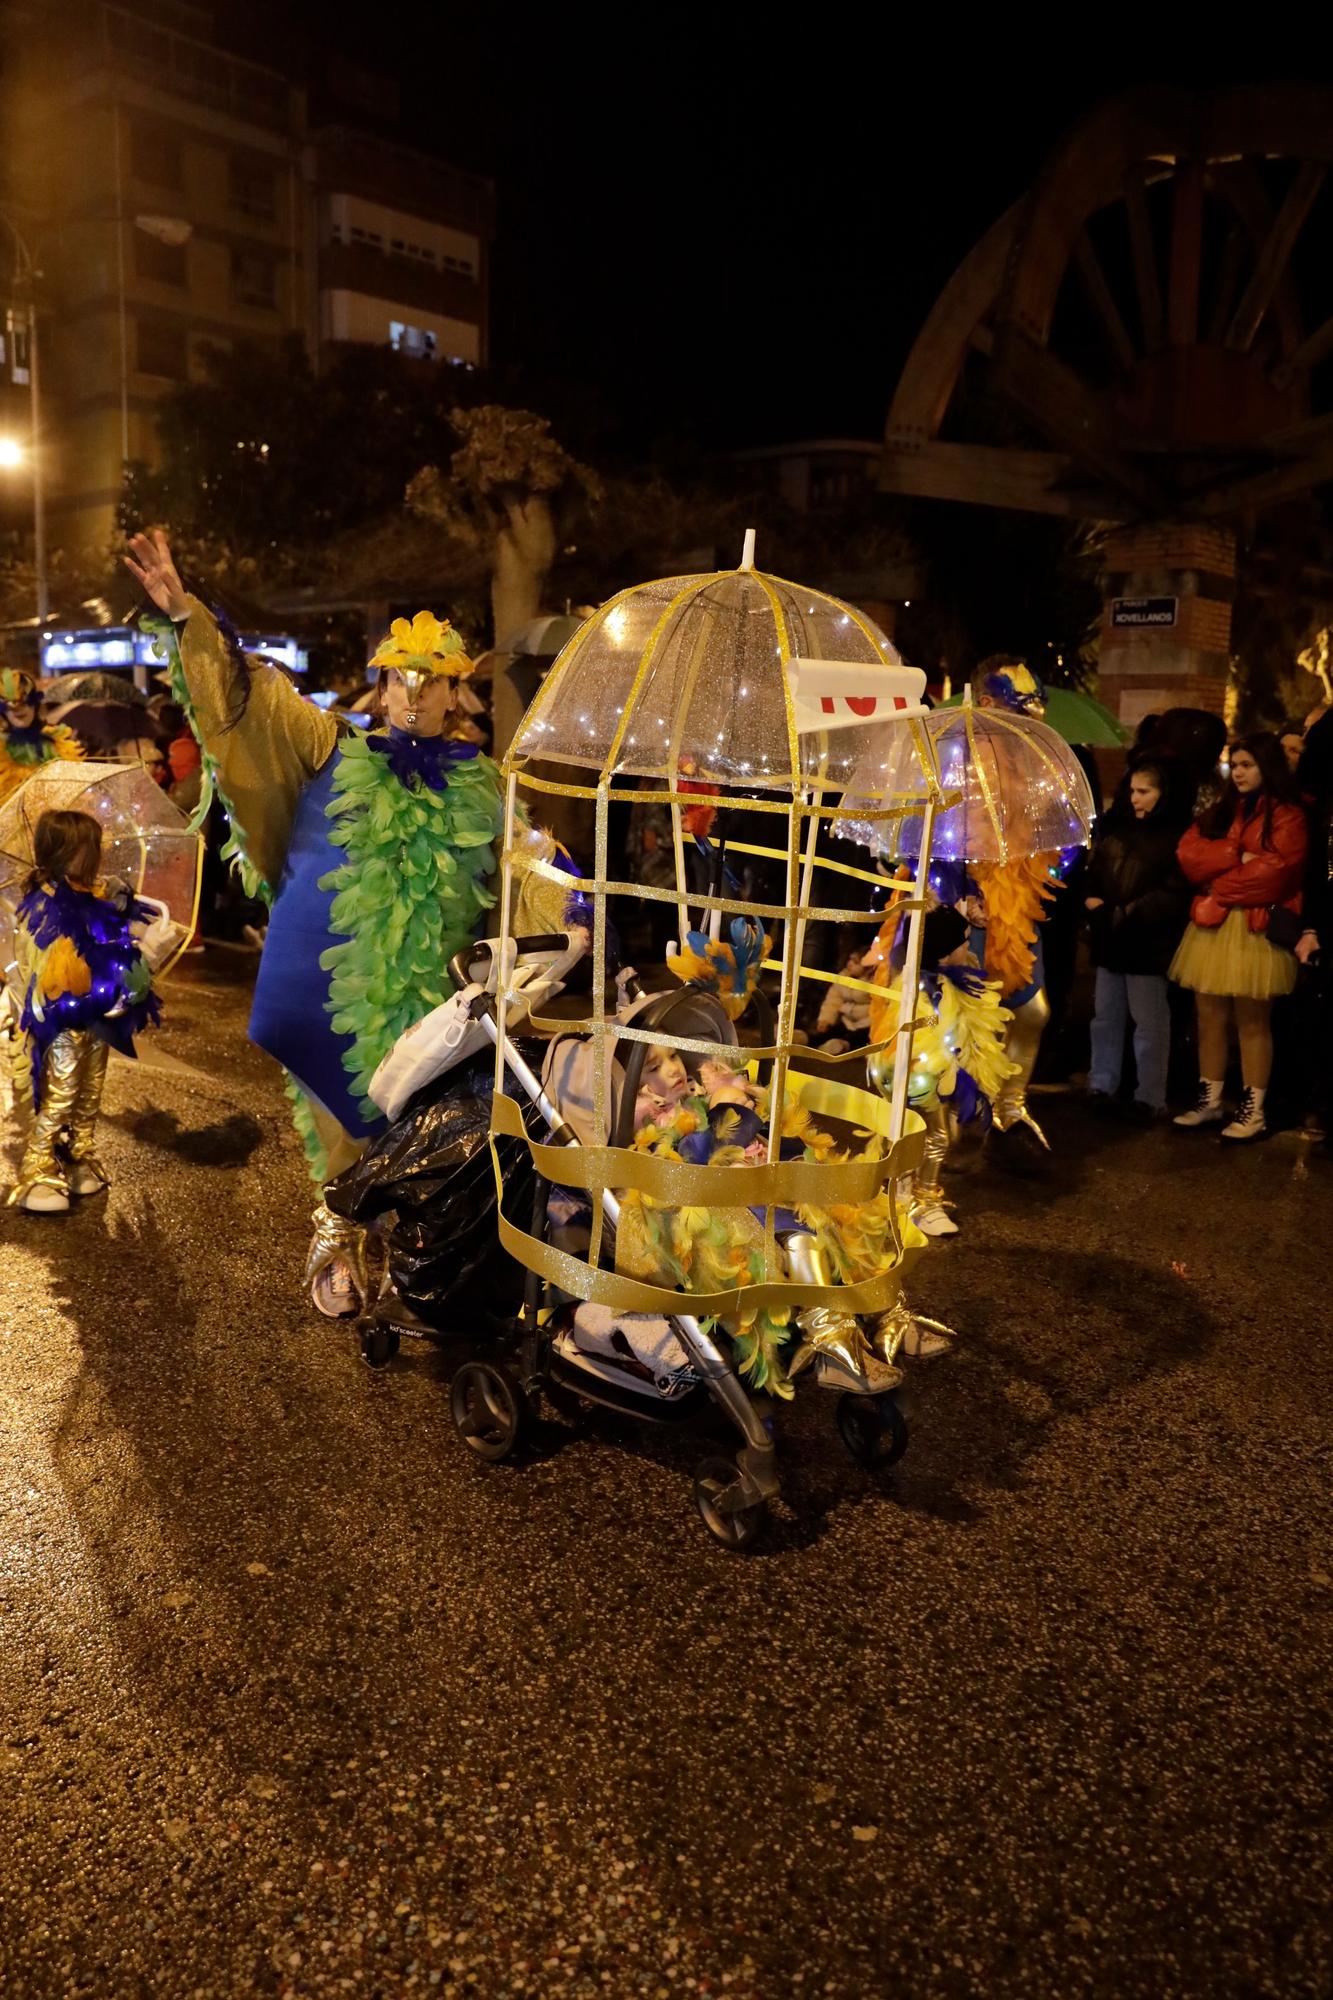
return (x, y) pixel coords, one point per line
(147, 841)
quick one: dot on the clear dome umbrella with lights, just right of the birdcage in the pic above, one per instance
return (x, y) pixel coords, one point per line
(1022, 789)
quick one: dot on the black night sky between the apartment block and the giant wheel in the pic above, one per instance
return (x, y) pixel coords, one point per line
(728, 235)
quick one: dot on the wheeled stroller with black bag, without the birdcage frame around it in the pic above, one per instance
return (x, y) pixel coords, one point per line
(433, 1193)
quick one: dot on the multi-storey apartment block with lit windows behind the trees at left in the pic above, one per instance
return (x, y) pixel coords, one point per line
(179, 199)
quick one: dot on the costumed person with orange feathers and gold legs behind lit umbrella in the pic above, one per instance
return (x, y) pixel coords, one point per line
(1014, 907)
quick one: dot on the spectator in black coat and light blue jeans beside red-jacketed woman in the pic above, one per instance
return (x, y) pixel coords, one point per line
(1138, 905)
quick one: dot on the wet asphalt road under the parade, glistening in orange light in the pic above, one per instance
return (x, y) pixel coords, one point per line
(299, 1701)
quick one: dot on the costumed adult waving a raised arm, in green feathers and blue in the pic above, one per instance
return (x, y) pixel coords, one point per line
(373, 849)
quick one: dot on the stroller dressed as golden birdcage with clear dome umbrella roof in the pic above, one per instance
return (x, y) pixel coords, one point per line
(585, 1331)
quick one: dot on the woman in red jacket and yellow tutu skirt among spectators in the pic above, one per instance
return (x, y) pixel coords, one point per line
(1244, 859)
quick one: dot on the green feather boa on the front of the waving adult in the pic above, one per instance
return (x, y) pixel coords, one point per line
(405, 899)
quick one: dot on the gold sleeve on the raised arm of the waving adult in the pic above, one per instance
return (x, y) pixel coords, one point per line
(265, 751)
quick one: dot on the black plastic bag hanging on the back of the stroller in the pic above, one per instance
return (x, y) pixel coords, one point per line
(427, 1187)
